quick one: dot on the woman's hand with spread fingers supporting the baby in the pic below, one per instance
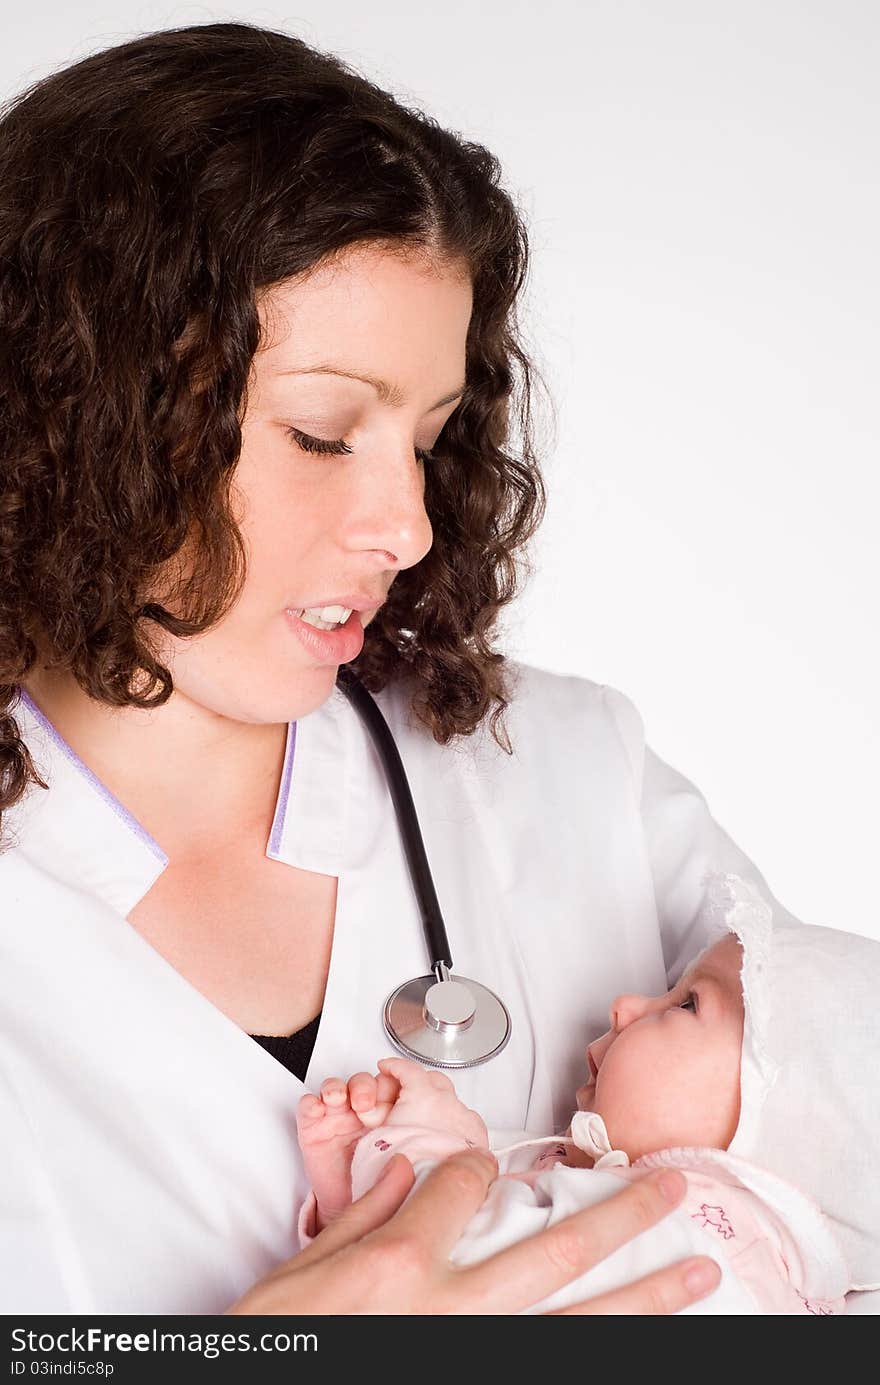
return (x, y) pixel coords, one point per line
(383, 1258)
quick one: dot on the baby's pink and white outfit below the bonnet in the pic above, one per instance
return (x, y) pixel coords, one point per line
(774, 1247)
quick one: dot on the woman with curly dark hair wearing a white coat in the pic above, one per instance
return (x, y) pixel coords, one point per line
(257, 415)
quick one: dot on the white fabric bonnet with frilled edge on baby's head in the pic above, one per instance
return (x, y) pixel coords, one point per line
(810, 1077)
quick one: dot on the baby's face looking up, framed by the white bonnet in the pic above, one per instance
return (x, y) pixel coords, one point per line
(667, 1073)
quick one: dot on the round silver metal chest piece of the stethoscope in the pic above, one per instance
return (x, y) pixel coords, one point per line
(446, 1023)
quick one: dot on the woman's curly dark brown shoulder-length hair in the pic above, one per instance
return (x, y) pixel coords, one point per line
(150, 195)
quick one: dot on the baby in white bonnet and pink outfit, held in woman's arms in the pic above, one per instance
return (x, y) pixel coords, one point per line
(759, 1067)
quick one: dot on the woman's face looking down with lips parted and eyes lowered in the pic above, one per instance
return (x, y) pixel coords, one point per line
(331, 530)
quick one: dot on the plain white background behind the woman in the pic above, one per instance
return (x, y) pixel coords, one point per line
(701, 179)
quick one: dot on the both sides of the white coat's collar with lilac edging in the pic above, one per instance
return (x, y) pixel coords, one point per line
(84, 836)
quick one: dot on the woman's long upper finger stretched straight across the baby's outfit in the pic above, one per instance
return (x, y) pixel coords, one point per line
(527, 1272)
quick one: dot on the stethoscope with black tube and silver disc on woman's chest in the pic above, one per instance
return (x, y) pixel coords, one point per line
(439, 1020)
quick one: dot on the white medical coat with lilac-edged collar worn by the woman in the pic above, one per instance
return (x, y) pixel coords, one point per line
(149, 1160)
